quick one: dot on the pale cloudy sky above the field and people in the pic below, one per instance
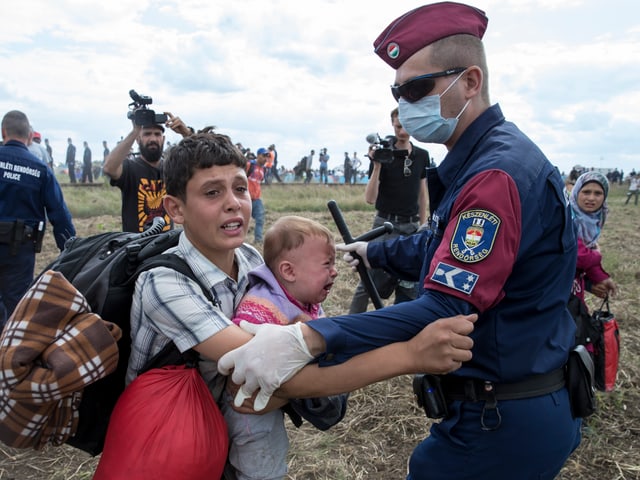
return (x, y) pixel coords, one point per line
(303, 75)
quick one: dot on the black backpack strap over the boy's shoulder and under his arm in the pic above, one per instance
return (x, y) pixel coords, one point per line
(170, 355)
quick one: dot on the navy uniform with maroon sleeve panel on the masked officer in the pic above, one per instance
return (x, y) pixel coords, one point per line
(500, 244)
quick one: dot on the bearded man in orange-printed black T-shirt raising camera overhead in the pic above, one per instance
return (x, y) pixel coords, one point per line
(139, 177)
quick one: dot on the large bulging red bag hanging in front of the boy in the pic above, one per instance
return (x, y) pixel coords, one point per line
(165, 425)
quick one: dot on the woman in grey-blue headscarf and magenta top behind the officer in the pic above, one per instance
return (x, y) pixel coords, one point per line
(588, 201)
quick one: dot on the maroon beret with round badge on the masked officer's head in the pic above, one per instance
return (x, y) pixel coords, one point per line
(424, 25)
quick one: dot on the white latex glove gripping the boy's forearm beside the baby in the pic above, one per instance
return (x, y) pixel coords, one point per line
(274, 355)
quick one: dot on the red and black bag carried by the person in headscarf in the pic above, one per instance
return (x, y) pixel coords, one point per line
(606, 353)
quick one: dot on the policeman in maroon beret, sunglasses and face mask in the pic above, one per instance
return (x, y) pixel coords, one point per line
(500, 243)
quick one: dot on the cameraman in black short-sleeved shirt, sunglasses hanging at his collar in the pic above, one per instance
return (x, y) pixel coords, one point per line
(398, 189)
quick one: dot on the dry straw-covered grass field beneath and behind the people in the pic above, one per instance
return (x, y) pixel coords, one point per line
(383, 424)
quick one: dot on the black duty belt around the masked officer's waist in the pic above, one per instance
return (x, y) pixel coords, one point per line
(476, 390)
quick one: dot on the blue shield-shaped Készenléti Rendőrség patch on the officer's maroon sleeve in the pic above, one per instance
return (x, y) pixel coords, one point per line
(474, 235)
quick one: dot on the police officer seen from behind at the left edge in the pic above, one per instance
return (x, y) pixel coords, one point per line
(29, 194)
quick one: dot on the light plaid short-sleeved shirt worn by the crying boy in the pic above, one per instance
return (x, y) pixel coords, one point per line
(168, 306)
